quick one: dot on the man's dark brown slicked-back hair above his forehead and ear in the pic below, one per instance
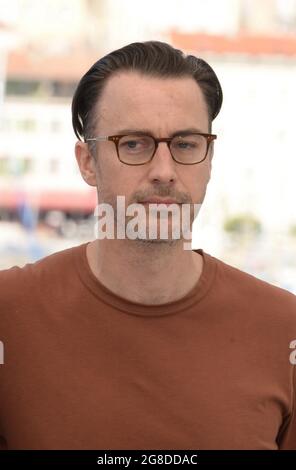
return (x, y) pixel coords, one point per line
(152, 58)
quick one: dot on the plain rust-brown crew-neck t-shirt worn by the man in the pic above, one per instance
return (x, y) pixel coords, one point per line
(87, 369)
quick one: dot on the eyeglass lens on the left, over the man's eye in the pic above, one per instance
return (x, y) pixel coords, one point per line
(135, 149)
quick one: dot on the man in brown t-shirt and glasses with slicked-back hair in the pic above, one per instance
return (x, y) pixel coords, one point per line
(134, 342)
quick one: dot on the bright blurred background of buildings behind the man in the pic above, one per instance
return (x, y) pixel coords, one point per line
(248, 218)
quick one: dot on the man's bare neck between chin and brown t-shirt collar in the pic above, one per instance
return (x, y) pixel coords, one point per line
(147, 273)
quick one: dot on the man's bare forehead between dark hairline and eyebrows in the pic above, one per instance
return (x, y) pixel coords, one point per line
(137, 95)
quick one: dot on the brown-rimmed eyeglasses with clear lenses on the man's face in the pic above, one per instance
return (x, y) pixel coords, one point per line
(133, 149)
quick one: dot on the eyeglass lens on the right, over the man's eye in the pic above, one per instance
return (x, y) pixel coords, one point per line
(189, 149)
